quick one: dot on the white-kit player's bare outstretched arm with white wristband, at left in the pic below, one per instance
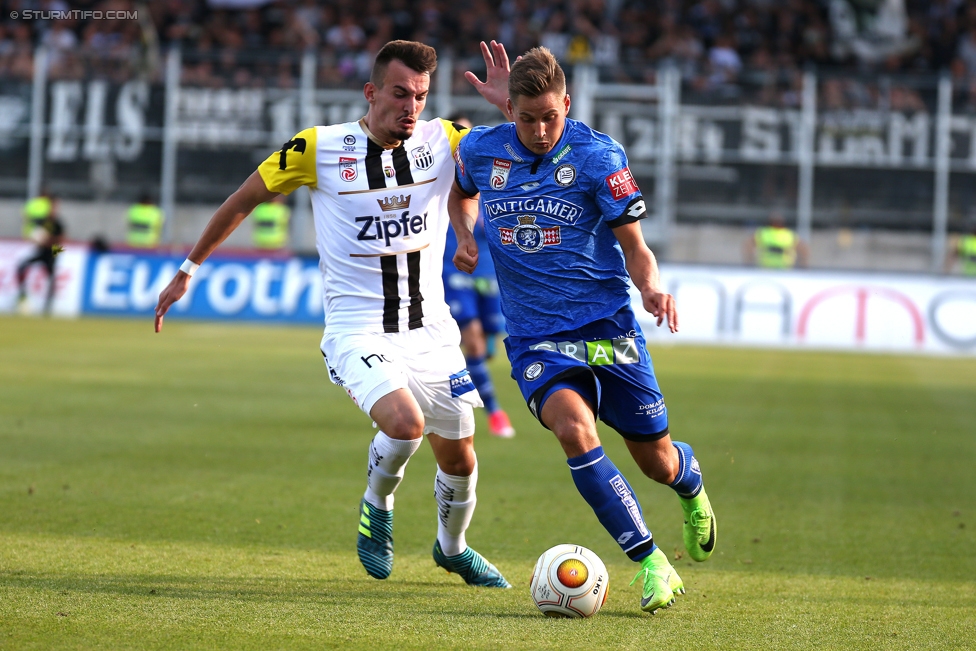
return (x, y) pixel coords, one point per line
(228, 217)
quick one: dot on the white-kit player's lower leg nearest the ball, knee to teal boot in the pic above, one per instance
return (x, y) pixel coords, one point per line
(455, 491)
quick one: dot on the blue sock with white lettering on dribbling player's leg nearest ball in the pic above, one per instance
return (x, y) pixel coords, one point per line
(613, 501)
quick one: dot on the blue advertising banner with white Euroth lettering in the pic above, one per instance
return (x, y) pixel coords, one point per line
(224, 288)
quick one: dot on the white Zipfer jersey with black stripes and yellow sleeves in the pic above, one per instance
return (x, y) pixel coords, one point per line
(380, 220)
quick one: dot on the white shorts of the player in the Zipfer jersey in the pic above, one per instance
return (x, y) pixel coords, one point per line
(427, 361)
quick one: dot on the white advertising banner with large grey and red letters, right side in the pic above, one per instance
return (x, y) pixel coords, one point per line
(814, 309)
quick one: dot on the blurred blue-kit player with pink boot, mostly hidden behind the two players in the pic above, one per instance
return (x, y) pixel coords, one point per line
(476, 306)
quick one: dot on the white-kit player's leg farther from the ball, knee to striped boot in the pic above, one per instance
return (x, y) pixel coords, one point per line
(401, 432)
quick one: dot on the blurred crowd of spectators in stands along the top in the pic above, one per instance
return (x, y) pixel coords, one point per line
(718, 45)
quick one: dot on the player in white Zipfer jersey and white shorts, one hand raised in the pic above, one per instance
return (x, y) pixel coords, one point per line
(379, 189)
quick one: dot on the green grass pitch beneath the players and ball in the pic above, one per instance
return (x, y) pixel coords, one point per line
(198, 489)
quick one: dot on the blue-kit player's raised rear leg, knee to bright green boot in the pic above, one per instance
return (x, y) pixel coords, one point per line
(674, 464)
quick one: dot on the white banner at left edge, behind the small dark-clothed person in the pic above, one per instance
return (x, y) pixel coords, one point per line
(69, 278)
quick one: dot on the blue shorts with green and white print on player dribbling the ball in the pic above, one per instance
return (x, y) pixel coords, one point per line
(606, 362)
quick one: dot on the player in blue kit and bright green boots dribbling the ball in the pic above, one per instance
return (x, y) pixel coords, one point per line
(561, 214)
